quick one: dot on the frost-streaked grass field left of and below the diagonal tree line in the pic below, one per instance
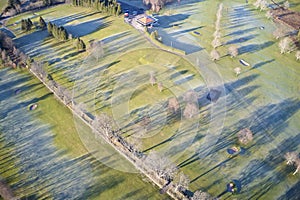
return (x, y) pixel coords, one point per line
(42, 155)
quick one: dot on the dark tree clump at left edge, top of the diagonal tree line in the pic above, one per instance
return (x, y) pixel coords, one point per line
(10, 55)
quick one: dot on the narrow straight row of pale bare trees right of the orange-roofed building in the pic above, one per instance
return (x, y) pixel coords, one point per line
(215, 55)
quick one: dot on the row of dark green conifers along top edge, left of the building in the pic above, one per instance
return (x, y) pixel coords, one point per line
(110, 7)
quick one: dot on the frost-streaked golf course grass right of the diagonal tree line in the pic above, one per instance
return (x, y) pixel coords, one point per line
(264, 98)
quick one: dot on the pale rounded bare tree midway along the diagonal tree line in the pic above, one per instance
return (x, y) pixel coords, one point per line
(103, 124)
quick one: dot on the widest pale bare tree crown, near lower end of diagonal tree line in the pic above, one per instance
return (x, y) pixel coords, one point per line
(160, 165)
